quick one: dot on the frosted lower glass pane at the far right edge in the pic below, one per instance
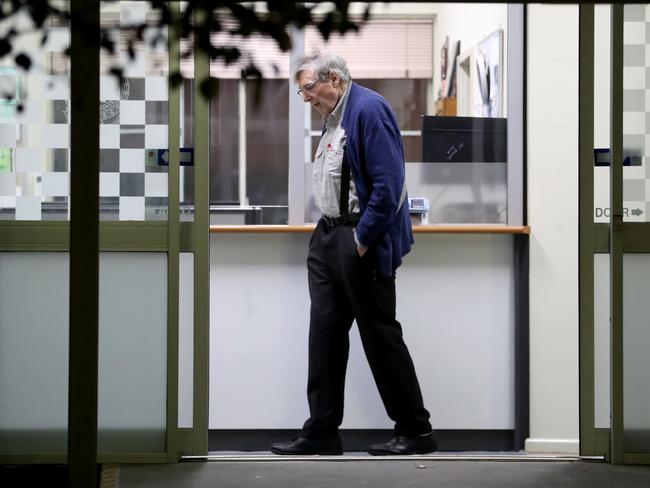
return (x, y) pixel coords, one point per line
(636, 360)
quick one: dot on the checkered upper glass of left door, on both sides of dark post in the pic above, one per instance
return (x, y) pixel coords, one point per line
(34, 141)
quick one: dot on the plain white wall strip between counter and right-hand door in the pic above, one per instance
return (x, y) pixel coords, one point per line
(553, 216)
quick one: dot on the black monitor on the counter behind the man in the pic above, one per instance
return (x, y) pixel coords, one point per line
(464, 139)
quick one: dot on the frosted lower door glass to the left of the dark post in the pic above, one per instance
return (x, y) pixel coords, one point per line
(33, 351)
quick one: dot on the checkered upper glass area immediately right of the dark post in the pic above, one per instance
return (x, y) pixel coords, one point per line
(133, 115)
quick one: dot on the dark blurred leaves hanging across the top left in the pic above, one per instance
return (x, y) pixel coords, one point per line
(198, 20)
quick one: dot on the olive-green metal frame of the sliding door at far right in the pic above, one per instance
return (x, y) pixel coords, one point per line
(614, 238)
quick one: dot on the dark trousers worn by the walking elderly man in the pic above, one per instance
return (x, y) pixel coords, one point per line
(344, 287)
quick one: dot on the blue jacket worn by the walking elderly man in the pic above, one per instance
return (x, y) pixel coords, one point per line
(375, 154)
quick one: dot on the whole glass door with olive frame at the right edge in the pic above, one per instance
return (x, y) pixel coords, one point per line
(615, 232)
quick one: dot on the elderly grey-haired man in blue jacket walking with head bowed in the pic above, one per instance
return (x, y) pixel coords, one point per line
(353, 254)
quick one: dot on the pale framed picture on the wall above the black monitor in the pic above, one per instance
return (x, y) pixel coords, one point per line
(489, 76)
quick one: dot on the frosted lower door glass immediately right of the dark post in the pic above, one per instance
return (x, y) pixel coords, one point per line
(132, 413)
